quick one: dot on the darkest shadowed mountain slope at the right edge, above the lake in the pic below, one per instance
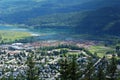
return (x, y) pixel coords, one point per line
(102, 21)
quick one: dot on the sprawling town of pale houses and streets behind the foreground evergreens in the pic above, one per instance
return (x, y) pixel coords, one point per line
(47, 54)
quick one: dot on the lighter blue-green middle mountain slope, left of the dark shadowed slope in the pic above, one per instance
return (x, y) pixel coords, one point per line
(59, 19)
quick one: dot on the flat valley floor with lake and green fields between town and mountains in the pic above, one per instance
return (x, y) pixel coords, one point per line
(47, 37)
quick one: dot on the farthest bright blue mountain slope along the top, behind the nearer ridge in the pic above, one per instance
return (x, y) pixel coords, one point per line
(19, 11)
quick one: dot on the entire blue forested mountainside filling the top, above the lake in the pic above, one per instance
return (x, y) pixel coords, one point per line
(96, 17)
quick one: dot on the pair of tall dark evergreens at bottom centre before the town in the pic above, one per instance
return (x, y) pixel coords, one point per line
(69, 68)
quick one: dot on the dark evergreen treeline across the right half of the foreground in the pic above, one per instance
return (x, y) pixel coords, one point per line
(105, 69)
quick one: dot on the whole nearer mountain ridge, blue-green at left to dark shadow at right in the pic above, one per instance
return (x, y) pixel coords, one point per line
(101, 21)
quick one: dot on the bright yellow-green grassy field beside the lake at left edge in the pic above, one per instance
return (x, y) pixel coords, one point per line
(11, 36)
